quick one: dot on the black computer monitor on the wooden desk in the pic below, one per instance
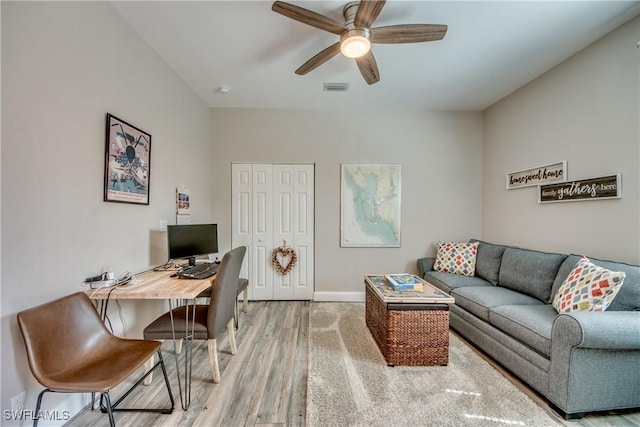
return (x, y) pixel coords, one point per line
(192, 240)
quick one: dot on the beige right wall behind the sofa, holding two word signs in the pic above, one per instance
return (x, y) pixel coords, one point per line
(585, 111)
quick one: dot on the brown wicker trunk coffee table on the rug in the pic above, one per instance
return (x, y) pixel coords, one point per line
(410, 328)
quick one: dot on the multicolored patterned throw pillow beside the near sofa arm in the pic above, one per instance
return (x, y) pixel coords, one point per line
(588, 288)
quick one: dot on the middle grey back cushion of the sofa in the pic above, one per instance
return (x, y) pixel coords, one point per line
(529, 272)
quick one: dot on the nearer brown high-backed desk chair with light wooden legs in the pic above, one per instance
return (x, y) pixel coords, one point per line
(211, 319)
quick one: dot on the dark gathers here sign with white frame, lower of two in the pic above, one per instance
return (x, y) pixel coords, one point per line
(606, 187)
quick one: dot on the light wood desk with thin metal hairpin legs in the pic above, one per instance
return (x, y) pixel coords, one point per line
(160, 285)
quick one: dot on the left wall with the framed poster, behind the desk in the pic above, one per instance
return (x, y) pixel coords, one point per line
(64, 66)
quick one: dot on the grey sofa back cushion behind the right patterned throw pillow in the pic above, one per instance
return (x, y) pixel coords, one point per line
(628, 297)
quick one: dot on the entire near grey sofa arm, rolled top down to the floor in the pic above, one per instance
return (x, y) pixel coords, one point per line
(594, 361)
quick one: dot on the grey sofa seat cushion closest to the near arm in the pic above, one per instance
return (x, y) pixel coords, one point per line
(529, 324)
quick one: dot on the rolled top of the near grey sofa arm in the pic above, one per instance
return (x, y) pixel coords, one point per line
(609, 330)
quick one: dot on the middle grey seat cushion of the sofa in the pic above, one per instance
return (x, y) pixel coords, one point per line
(479, 300)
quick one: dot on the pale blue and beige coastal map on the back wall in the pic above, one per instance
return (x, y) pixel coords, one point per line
(370, 205)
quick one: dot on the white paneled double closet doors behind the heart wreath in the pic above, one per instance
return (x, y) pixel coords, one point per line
(273, 205)
